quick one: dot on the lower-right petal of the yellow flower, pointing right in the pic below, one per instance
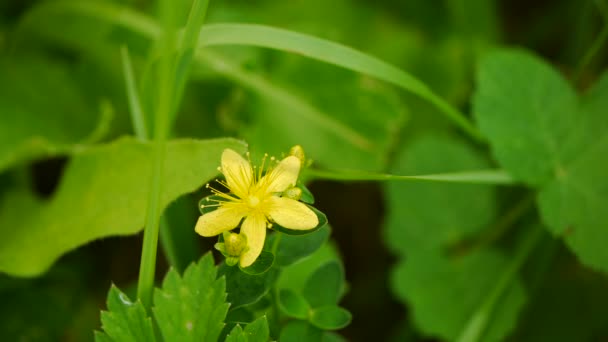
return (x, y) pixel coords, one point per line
(291, 214)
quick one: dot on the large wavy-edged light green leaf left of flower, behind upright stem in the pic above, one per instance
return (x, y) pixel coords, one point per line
(103, 192)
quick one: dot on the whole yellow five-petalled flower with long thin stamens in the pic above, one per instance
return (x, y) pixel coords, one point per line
(256, 198)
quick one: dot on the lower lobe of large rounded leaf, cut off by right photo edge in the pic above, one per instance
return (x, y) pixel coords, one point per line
(574, 203)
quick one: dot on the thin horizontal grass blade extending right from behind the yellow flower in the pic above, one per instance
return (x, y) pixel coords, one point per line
(496, 177)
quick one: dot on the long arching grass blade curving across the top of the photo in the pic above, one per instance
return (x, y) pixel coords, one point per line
(280, 39)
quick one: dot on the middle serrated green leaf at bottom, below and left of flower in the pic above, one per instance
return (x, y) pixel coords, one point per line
(192, 307)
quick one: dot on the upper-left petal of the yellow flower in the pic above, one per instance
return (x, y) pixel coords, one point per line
(237, 171)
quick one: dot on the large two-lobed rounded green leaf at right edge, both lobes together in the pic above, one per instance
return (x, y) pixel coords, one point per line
(542, 135)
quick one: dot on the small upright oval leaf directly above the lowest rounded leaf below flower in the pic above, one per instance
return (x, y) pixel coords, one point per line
(325, 286)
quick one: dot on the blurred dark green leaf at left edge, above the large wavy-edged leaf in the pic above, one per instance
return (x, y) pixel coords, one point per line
(43, 111)
